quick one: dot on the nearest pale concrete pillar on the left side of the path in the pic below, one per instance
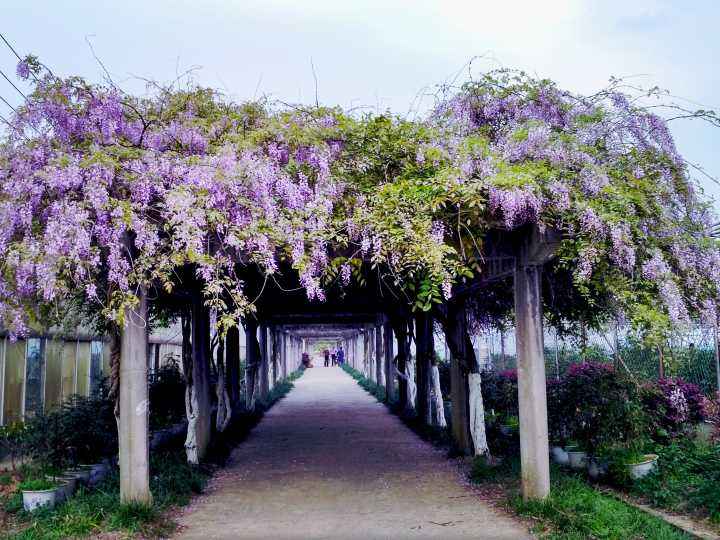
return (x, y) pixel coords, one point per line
(134, 455)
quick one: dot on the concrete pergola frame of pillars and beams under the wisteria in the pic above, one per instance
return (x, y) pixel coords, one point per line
(285, 319)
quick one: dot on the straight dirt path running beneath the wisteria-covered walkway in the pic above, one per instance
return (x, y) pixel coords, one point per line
(328, 461)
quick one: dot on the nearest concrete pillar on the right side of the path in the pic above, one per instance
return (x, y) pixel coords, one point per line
(532, 398)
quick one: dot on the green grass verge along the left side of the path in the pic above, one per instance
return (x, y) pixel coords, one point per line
(173, 483)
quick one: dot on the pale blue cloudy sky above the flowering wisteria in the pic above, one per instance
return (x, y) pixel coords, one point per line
(381, 54)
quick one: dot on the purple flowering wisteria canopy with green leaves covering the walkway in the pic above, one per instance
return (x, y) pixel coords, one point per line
(102, 193)
